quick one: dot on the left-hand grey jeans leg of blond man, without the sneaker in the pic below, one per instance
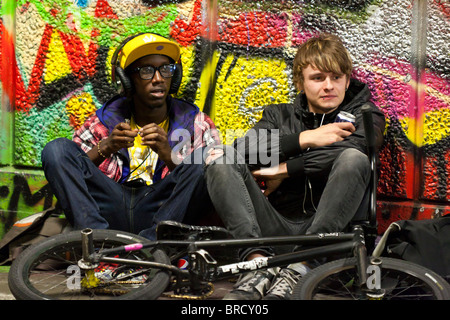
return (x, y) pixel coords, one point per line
(241, 205)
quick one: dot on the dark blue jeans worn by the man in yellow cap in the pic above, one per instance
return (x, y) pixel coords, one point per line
(92, 200)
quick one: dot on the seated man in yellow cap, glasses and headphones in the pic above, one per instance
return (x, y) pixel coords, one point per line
(125, 167)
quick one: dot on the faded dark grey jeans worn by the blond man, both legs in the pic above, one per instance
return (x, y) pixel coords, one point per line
(247, 213)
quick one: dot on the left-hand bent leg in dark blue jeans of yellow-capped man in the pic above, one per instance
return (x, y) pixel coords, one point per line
(88, 197)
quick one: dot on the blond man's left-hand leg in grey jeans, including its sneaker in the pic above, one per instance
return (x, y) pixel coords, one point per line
(246, 213)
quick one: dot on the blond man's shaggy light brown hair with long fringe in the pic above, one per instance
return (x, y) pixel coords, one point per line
(326, 53)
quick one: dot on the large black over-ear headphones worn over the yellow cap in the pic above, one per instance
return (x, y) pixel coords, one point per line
(122, 81)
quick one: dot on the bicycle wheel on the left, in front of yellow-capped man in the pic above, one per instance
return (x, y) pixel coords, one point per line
(49, 270)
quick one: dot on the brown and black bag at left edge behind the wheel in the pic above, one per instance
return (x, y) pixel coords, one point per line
(30, 230)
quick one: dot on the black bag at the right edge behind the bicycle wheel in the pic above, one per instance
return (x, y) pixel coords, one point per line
(425, 242)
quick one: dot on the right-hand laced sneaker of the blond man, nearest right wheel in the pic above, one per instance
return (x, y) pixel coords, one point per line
(285, 282)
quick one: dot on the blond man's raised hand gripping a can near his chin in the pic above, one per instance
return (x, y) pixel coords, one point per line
(326, 135)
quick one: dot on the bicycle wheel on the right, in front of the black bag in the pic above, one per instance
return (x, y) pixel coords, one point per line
(399, 280)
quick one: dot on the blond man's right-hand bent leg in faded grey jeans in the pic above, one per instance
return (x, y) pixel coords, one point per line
(342, 196)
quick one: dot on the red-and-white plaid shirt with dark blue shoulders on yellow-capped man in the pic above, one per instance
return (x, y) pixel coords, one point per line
(182, 115)
